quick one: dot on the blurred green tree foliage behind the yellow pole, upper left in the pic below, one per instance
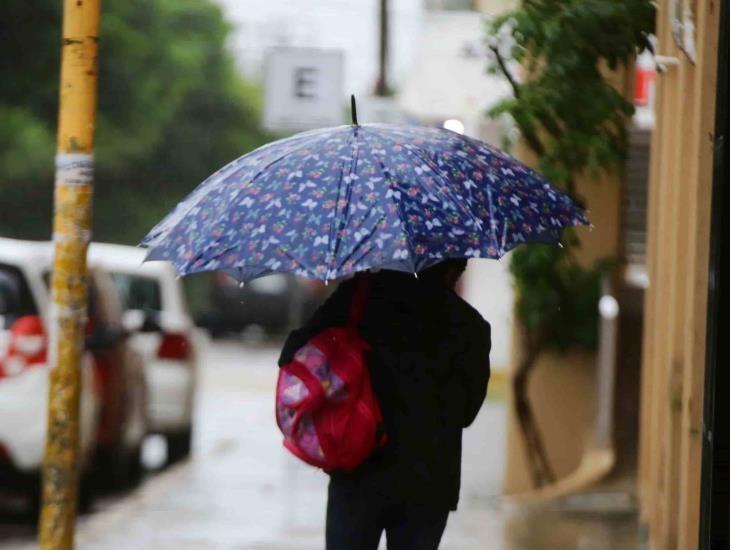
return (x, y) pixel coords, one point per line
(172, 109)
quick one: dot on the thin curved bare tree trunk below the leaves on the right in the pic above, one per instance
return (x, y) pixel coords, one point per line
(538, 463)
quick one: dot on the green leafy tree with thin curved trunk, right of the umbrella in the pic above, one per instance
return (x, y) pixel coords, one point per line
(555, 54)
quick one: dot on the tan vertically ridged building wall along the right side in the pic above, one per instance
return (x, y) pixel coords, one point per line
(678, 234)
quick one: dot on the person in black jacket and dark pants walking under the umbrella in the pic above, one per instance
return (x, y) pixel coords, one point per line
(429, 366)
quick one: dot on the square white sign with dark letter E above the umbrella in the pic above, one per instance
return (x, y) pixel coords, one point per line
(303, 89)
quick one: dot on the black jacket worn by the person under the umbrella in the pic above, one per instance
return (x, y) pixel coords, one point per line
(429, 366)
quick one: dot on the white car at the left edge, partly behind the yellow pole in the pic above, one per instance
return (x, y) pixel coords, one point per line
(24, 371)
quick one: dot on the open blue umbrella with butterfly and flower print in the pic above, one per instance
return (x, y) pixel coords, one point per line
(331, 202)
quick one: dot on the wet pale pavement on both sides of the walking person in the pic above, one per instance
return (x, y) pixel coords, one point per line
(242, 491)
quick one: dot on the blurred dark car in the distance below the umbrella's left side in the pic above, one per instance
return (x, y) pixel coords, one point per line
(276, 303)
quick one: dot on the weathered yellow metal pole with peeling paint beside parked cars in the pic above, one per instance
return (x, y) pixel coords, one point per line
(71, 232)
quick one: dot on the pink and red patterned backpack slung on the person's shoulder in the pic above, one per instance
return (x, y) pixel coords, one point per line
(325, 404)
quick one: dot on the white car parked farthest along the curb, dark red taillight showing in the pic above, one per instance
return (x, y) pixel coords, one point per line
(165, 335)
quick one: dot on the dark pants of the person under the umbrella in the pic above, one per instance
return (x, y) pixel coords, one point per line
(356, 520)
